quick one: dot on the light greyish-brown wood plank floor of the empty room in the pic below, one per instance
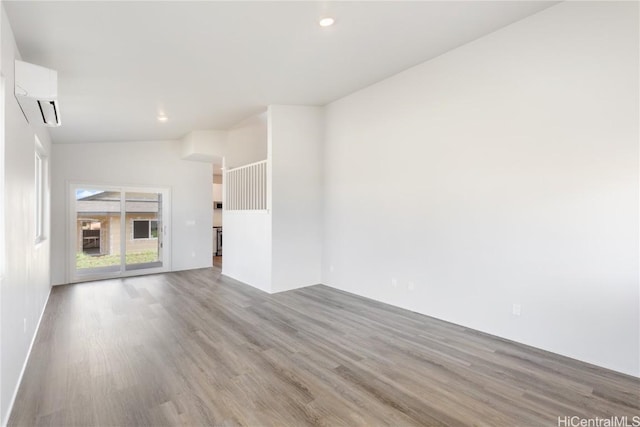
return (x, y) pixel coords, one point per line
(194, 348)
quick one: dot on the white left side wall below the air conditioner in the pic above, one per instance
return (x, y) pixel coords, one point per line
(25, 282)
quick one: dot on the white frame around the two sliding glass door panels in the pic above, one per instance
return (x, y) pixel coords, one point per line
(72, 274)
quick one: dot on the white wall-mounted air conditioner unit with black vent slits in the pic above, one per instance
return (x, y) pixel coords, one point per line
(37, 93)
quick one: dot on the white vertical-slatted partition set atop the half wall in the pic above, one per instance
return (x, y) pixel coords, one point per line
(247, 187)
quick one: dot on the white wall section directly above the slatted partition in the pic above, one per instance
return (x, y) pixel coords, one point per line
(247, 142)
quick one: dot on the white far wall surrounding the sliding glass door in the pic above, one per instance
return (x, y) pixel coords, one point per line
(138, 164)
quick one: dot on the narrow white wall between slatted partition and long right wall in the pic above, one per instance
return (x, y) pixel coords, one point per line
(295, 153)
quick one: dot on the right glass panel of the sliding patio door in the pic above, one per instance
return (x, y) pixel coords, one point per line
(143, 219)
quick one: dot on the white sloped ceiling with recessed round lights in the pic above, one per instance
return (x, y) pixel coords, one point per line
(208, 65)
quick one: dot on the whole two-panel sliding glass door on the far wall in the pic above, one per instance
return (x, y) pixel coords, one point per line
(117, 231)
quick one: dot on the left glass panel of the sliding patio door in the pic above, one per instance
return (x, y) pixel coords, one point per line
(97, 231)
